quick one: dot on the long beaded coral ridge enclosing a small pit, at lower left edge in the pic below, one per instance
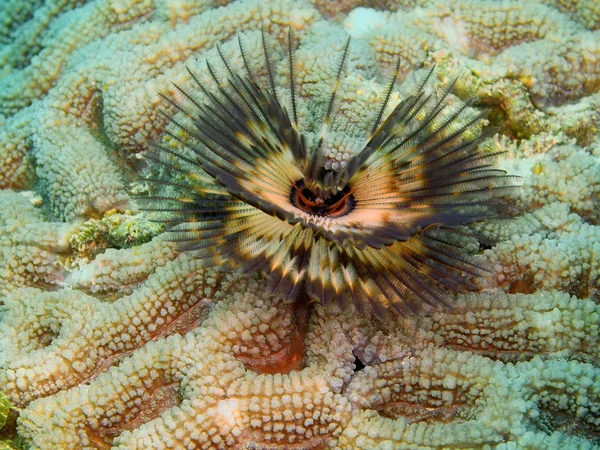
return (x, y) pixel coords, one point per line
(59, 339)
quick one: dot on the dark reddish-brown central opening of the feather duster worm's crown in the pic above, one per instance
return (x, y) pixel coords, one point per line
(335, 205)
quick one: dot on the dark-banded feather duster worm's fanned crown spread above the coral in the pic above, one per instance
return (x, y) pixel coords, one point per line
(248, 189)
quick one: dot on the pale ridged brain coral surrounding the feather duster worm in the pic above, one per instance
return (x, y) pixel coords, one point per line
(111, 339)
